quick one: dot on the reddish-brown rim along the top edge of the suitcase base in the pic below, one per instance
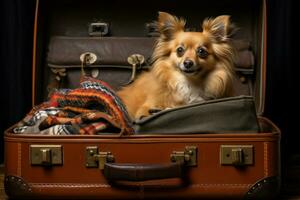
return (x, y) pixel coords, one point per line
(269, 137)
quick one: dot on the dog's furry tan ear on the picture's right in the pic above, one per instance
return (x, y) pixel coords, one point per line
(220, 28)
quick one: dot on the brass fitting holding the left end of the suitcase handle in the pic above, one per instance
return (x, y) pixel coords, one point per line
(97, 159)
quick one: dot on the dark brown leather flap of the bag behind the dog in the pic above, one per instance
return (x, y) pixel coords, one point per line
(64, 51)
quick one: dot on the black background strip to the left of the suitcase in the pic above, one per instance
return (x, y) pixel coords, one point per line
(16, 41)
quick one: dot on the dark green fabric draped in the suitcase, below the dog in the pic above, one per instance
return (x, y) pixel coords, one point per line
(227, 115)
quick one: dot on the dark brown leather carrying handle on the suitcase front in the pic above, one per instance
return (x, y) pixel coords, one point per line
(142, 172)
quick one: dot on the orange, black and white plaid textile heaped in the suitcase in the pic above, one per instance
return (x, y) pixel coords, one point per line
(94, 108)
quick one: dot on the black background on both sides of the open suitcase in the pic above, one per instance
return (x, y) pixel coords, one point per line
(16, 36)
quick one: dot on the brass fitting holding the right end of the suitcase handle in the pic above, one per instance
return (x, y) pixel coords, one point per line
(188, 156)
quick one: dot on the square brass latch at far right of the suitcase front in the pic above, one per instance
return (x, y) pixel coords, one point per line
(236, 155)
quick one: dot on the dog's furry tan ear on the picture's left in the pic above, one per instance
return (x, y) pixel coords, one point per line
(168, 25)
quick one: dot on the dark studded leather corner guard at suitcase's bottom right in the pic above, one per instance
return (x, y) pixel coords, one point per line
(267, 188)
